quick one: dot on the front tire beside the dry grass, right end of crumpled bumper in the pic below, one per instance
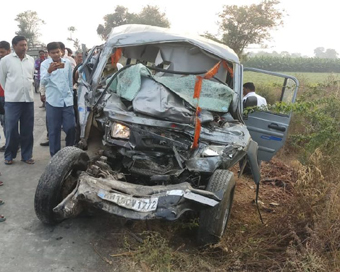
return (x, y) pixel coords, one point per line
(213, 221)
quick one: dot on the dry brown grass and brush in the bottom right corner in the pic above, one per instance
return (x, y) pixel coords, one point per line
(303, 234)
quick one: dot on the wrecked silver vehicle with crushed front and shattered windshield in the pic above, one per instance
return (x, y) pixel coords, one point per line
(171, 126)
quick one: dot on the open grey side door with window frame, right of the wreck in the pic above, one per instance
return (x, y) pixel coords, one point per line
(269, 129)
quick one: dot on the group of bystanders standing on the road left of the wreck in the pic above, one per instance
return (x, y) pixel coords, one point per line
(51, 74)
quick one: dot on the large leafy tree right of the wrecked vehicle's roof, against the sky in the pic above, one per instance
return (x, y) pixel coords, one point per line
(245, 25)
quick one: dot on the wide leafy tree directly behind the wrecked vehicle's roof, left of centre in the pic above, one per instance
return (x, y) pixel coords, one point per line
(150, 15)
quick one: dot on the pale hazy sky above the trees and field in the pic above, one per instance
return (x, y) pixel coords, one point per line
(307, 25)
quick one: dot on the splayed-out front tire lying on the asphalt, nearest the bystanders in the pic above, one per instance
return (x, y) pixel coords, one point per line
(58, 180)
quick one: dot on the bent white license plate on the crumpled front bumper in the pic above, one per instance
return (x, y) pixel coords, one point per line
(129, 202)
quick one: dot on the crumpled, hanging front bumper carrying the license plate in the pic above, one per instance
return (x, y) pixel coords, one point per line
(135, 201)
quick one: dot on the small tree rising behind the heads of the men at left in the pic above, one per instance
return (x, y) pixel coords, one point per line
(29, 24)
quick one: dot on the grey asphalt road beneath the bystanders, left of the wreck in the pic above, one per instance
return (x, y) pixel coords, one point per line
(26, 244)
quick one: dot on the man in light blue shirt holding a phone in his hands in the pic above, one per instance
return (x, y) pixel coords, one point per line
(56, 76)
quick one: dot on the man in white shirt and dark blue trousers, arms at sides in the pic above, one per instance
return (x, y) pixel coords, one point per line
(16, 78)
